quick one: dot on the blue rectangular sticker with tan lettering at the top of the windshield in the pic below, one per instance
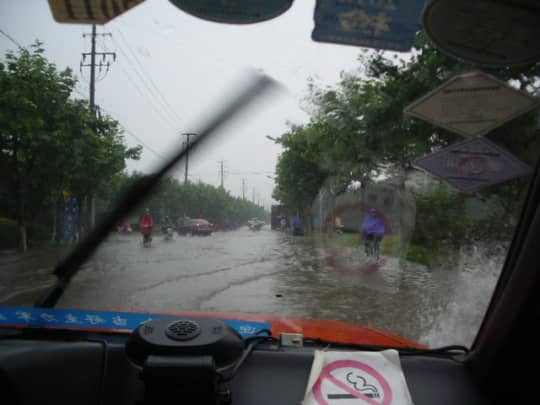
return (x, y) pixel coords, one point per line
(381, 24)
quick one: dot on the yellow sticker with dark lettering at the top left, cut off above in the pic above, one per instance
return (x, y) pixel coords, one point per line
(89, 11)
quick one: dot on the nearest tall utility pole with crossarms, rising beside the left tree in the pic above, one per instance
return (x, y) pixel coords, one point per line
(104, 63)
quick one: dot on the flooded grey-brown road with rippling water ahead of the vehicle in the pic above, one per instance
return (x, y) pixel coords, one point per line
(267, 272)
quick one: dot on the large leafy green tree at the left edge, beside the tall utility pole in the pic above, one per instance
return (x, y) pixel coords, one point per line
(49, 142)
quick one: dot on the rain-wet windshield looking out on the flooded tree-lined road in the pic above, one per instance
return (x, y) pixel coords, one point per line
(343, 197)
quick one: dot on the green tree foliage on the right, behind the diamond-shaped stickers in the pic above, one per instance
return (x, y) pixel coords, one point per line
(358, 132)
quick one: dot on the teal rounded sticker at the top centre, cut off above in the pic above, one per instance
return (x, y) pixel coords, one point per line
(234, 12)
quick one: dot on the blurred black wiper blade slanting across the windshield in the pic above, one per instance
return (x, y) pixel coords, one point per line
(68, 267)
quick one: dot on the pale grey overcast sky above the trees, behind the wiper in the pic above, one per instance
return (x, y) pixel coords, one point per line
(191, 63)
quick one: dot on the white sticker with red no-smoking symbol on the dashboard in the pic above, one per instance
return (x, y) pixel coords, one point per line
(357, 378)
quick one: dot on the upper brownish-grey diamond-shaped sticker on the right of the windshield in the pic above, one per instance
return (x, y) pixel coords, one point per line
(472, 104)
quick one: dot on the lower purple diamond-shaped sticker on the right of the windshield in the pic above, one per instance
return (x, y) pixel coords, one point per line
(473, 164)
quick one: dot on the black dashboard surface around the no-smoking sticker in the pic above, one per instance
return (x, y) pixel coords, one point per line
(83, 368)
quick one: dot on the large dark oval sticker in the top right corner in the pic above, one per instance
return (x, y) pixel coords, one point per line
(485, 32)
